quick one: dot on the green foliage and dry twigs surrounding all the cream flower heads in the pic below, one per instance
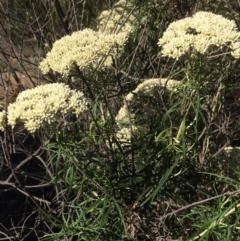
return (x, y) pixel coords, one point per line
(175, 181)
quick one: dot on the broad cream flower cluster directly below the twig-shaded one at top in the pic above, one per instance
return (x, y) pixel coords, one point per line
(83, 48)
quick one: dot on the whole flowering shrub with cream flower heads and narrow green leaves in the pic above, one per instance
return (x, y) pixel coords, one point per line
(133, 165)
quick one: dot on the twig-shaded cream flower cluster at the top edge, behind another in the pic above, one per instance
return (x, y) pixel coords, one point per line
(118, 19)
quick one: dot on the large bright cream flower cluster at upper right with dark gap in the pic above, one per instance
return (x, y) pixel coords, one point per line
(198, 33)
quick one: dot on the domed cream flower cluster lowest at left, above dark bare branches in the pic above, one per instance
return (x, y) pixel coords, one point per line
(45, 104)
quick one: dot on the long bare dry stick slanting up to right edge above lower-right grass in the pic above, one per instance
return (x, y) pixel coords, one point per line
(199, 202)
